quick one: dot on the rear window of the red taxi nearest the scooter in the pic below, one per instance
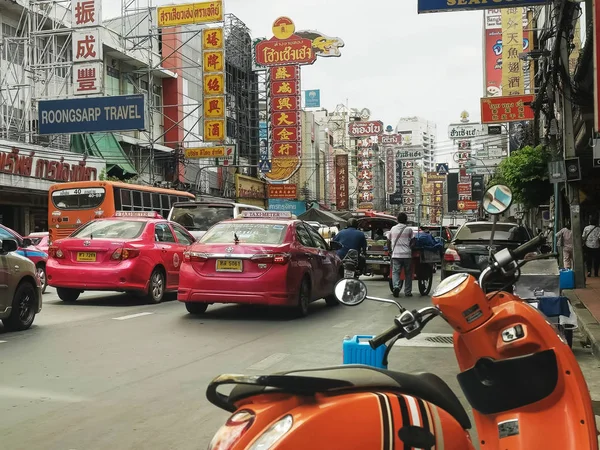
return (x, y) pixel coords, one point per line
(246, 233)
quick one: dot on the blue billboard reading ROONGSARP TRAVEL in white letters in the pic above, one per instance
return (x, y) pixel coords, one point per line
(91, 115)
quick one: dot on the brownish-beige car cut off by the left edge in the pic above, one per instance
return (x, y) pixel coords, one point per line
(20, 288)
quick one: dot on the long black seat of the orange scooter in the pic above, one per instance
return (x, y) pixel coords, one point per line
(426, 386)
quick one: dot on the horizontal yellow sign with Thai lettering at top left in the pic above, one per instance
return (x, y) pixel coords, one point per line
(191, 13)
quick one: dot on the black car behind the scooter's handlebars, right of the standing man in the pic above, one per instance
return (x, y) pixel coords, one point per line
(470, 248)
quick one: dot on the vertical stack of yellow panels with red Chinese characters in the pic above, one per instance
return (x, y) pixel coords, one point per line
(213, 70)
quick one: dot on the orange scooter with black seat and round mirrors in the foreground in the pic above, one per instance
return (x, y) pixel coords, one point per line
(519, 375)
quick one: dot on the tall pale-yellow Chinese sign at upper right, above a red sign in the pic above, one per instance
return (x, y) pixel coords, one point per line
(512, 46)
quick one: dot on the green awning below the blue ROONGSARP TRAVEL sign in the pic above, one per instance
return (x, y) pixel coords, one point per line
(107, 147)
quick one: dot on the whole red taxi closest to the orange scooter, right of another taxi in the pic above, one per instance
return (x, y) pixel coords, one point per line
(262, 258)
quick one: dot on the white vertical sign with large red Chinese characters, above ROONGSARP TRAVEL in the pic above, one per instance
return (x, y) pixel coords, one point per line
(87, 47)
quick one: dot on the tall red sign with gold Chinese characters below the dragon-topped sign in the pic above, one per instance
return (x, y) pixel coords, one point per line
(285, 122)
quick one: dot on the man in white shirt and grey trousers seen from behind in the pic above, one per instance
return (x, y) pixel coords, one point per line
(399, 242)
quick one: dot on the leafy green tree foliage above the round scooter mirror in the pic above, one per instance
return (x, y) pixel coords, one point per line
(525, 172)
